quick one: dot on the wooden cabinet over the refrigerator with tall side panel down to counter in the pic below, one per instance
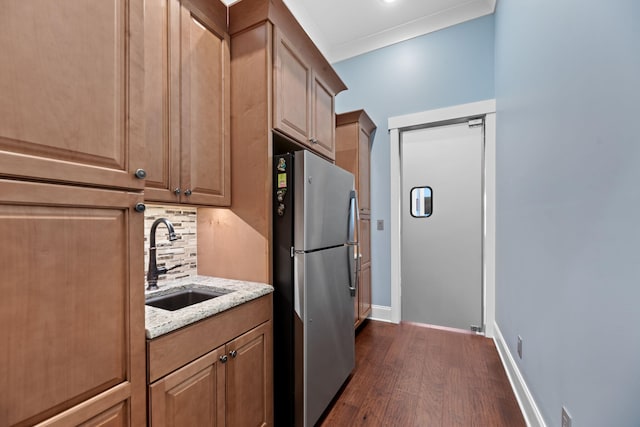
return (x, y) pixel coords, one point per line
(257, 128)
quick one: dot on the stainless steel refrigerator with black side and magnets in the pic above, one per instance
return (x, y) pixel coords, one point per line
(315, 276)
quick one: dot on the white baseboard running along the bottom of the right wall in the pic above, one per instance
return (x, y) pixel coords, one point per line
(528, 406)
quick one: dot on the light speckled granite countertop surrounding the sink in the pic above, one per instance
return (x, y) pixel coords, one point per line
(159, 322)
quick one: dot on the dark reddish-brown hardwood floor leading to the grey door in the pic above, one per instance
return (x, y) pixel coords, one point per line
(412, 375)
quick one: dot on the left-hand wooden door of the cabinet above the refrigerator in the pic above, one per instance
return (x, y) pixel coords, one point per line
(292, 89)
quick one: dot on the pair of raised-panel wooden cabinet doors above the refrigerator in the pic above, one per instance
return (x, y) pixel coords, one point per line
(304, 103)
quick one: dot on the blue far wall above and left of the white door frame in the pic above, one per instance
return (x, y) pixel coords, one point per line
(449, 67)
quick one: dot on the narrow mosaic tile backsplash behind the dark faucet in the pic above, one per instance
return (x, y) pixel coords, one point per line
(182, 251)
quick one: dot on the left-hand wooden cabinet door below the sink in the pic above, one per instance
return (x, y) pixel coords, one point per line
(194, 395)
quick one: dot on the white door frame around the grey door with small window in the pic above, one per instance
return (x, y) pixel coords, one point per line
(397, 125)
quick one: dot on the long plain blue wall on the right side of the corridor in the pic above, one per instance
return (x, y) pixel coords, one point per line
(568, 203)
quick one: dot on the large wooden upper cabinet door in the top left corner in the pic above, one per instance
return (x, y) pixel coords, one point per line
(71, 80)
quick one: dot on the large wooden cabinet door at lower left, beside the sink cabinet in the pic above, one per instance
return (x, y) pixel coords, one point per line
(72, 306)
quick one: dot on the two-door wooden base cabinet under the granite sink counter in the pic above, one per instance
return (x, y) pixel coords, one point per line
(230, 385)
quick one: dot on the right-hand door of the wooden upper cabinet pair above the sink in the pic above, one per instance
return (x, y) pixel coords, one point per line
(205, 85)
